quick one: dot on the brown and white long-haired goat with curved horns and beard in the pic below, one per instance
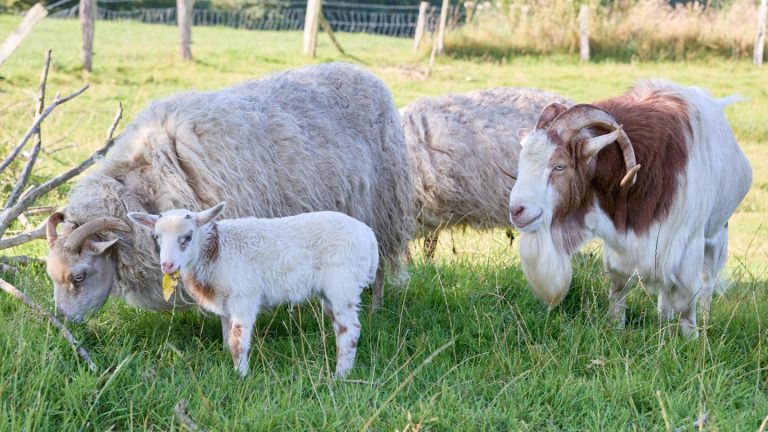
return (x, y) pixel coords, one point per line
(666, 226)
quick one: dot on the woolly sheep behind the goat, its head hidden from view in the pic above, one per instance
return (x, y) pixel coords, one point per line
(455, 146)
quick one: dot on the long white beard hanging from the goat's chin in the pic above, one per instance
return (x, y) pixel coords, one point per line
(546, 266)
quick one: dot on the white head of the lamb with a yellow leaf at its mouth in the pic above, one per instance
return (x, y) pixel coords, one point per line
(178, 233)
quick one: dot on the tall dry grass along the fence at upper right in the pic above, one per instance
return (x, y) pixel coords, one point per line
(622, 30)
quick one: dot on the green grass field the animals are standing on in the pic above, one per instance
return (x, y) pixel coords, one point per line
(464, 347)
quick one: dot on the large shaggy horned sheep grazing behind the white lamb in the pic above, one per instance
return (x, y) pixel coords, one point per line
(324, 137)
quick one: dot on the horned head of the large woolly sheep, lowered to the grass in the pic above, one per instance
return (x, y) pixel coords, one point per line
(81, 267)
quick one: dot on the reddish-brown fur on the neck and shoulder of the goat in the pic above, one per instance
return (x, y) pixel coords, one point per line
(658, 126)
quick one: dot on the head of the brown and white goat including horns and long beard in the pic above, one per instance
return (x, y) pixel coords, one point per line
(556, 167)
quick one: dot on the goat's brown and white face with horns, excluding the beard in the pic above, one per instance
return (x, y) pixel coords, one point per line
(557, 163)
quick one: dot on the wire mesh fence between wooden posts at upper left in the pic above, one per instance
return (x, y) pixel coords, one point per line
(389, 20)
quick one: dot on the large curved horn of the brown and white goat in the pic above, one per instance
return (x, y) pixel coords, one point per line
(570, 122)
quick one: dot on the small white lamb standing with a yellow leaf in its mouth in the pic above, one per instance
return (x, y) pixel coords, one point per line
(235, 268)
